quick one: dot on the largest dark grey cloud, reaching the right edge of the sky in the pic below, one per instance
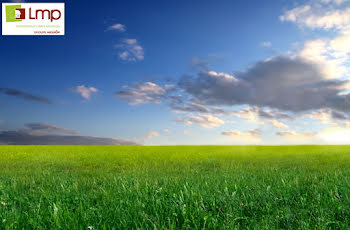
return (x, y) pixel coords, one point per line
(285, 83)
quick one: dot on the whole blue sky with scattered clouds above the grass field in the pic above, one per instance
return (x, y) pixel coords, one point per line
(181, 72)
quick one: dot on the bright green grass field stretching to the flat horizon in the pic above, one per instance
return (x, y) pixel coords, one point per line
(187, 187)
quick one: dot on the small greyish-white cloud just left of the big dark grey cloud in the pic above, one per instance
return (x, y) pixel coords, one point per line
(143, 93)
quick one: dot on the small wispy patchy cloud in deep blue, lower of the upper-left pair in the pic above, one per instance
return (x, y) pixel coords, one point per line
(130, 50)
